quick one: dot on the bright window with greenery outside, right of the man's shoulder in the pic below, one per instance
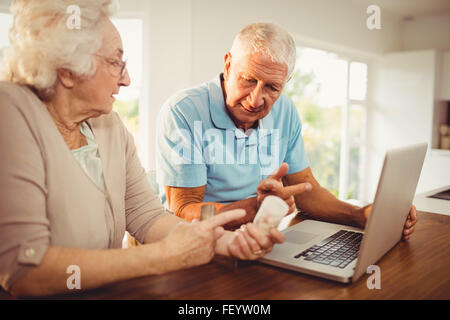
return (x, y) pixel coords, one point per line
(329, 92)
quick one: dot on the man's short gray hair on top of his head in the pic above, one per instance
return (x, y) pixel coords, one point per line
(268, 39)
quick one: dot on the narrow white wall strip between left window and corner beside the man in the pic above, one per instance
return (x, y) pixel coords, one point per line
(168, 68)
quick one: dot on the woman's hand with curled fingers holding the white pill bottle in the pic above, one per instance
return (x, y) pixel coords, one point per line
(251, 243)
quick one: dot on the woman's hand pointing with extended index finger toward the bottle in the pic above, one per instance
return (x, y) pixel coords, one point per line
(193, 244)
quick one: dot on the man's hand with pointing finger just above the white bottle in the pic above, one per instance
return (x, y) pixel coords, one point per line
(273, 185)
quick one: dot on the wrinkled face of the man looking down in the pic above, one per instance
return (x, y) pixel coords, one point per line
(252, 84)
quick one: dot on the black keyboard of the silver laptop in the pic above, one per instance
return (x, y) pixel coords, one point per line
(338, 250)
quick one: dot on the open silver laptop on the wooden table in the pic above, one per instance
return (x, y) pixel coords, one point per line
(343, 253)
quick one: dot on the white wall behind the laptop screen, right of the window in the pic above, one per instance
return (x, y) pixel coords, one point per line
(402, 101)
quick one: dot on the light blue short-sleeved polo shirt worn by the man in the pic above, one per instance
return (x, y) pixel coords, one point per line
(198, 144)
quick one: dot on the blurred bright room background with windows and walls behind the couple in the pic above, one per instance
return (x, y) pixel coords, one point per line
(359, 91)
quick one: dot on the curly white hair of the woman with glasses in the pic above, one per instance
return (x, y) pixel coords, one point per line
(42, 41)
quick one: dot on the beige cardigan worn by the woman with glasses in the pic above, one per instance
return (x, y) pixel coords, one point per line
(46, 198)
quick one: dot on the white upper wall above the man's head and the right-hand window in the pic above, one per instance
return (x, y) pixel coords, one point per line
(326, 24)
